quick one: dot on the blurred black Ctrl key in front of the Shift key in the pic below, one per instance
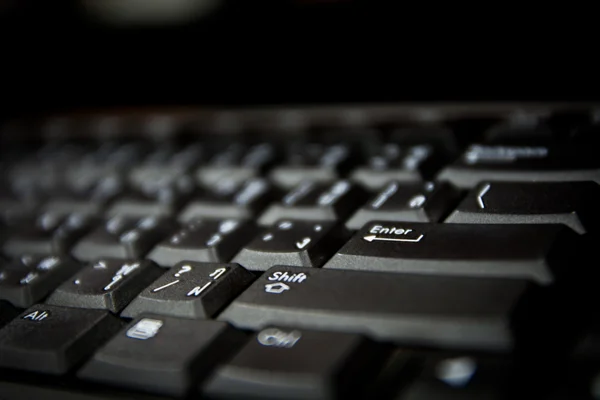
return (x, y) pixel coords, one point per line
(282, 363)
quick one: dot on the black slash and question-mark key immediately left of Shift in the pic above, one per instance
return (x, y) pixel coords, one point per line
(191, 290)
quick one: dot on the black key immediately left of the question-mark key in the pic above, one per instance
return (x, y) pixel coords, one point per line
(108, 284)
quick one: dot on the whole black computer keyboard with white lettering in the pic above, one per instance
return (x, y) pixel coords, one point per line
(403, 258)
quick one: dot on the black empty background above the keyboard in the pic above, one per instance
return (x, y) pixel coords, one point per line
(249, 53)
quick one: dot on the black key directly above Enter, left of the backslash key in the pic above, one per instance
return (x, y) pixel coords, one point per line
(427, 202)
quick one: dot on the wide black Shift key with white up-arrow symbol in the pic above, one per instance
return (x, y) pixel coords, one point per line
(445, 311)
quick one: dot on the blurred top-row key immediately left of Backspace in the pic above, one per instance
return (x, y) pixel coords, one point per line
(407, 164)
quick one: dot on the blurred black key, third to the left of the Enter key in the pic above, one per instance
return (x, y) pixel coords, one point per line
(122, 237)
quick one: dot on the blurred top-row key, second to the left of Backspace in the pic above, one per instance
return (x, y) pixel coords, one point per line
(312, 162)
